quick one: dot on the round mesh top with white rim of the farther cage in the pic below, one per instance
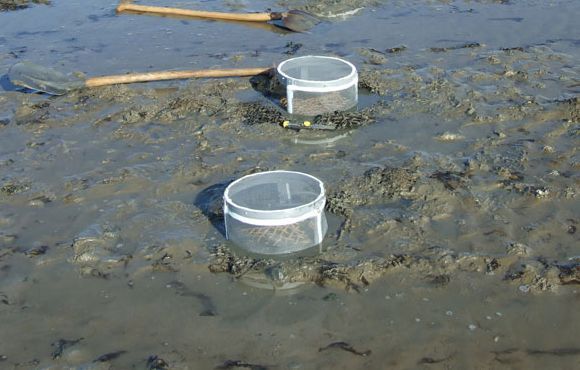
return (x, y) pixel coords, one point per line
(317, 71)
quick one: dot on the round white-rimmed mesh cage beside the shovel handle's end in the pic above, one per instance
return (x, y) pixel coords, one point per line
(318, 84)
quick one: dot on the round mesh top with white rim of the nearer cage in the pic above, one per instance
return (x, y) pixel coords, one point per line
(275, 195)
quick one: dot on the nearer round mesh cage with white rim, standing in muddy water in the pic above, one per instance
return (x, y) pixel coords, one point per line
(275, 212)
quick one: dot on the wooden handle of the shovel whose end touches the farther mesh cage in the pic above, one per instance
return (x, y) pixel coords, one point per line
(173, 75)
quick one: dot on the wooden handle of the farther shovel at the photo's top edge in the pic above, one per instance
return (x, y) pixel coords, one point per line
(252, 17)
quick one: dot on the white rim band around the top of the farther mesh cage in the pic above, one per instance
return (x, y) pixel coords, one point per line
(319, 85)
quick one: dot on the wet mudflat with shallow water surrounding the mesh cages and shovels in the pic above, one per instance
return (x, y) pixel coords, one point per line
(453, 216)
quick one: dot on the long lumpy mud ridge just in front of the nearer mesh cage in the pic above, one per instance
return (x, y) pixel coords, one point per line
(437, 268)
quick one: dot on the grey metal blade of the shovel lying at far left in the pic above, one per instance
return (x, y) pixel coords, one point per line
(39, 78)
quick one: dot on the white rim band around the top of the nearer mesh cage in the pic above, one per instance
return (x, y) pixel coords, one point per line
(277, 217)
